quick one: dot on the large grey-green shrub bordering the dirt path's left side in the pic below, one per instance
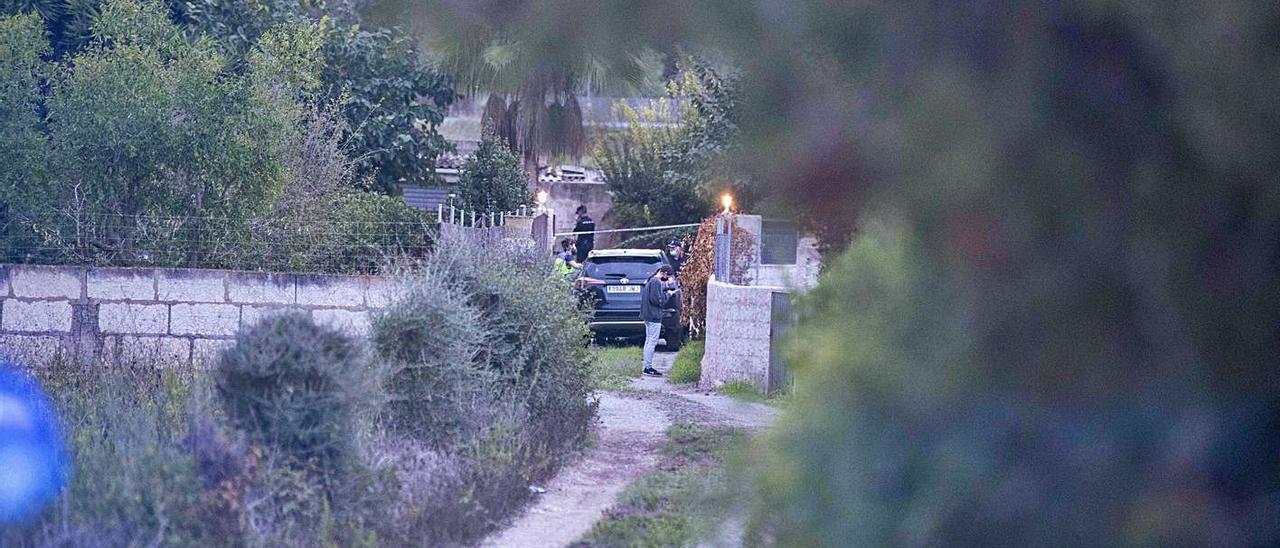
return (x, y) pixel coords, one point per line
(490, 387)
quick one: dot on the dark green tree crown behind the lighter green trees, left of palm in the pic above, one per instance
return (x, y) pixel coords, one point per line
(392, 101)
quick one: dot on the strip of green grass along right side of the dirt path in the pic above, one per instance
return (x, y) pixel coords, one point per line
(668, 508)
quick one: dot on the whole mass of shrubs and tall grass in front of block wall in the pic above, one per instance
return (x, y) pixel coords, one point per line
(299, 437)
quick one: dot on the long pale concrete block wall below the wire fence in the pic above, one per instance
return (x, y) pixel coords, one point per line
(163, 317)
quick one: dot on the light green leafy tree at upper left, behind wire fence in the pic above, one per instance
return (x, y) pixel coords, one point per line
(145, 124)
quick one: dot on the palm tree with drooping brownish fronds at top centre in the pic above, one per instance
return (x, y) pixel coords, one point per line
(532, 85)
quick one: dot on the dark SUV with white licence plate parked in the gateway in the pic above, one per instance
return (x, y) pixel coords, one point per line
(612, 280)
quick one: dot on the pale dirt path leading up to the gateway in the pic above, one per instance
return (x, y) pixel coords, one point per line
(632, 432)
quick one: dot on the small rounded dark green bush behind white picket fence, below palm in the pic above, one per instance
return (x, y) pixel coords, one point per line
(493, 180)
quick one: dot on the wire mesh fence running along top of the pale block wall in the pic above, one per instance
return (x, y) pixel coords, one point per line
(295, 244)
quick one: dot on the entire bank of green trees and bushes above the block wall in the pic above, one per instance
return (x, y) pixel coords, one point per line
(145, 148)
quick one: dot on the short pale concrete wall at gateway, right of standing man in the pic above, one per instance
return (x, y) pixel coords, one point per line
(738, 335)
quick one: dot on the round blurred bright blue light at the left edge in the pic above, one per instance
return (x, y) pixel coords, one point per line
(33, 458)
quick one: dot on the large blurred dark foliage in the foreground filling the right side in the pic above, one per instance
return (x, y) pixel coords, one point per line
(1075, 339)
